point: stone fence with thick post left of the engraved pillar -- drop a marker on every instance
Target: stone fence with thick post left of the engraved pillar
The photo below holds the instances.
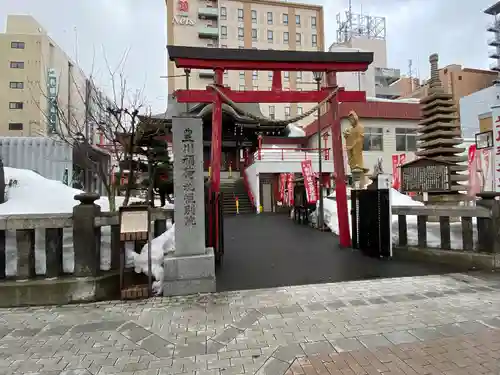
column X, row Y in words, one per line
column 85, row 243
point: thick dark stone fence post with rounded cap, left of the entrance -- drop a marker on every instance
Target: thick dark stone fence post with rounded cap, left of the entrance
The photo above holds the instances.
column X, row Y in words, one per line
column 86, row 238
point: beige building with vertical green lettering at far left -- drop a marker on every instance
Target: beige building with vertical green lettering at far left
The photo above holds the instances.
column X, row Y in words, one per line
column 42, row 89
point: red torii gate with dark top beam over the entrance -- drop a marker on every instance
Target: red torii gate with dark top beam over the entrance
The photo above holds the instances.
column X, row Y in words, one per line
column 219, row 60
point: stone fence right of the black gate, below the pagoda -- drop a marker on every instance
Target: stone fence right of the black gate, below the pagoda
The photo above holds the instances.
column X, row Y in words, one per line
column 464, row 228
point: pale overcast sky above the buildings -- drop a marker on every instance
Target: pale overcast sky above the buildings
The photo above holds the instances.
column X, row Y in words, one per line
column 86, row 29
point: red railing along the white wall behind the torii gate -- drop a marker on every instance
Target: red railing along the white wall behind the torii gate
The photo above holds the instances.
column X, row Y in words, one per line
column 289, row 154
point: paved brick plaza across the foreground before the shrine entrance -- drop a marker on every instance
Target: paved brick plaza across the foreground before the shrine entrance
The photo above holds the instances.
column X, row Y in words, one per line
column 419, row 325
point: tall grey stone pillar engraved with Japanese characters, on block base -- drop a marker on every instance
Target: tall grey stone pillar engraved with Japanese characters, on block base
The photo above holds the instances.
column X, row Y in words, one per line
column 191, row 269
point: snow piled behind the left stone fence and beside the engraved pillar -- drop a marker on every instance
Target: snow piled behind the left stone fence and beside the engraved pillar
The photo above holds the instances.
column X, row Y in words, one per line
column 34, row 194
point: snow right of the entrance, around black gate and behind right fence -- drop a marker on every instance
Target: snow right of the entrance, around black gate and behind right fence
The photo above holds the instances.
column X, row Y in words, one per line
column 398, row 199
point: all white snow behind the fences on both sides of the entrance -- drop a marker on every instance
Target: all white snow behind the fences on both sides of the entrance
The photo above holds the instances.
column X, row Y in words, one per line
column 34, row 194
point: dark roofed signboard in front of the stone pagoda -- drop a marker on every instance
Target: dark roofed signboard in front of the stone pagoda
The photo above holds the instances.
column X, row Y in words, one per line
column 425, row 176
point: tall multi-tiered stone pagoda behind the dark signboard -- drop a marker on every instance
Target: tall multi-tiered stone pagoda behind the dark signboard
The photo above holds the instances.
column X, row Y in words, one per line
column 440, row 137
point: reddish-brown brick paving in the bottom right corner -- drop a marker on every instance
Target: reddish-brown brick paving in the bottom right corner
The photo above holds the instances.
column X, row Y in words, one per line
column 477, row 353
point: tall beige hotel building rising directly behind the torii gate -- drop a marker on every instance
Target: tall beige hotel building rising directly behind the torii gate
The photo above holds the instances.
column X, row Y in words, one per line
column 244, row 24
